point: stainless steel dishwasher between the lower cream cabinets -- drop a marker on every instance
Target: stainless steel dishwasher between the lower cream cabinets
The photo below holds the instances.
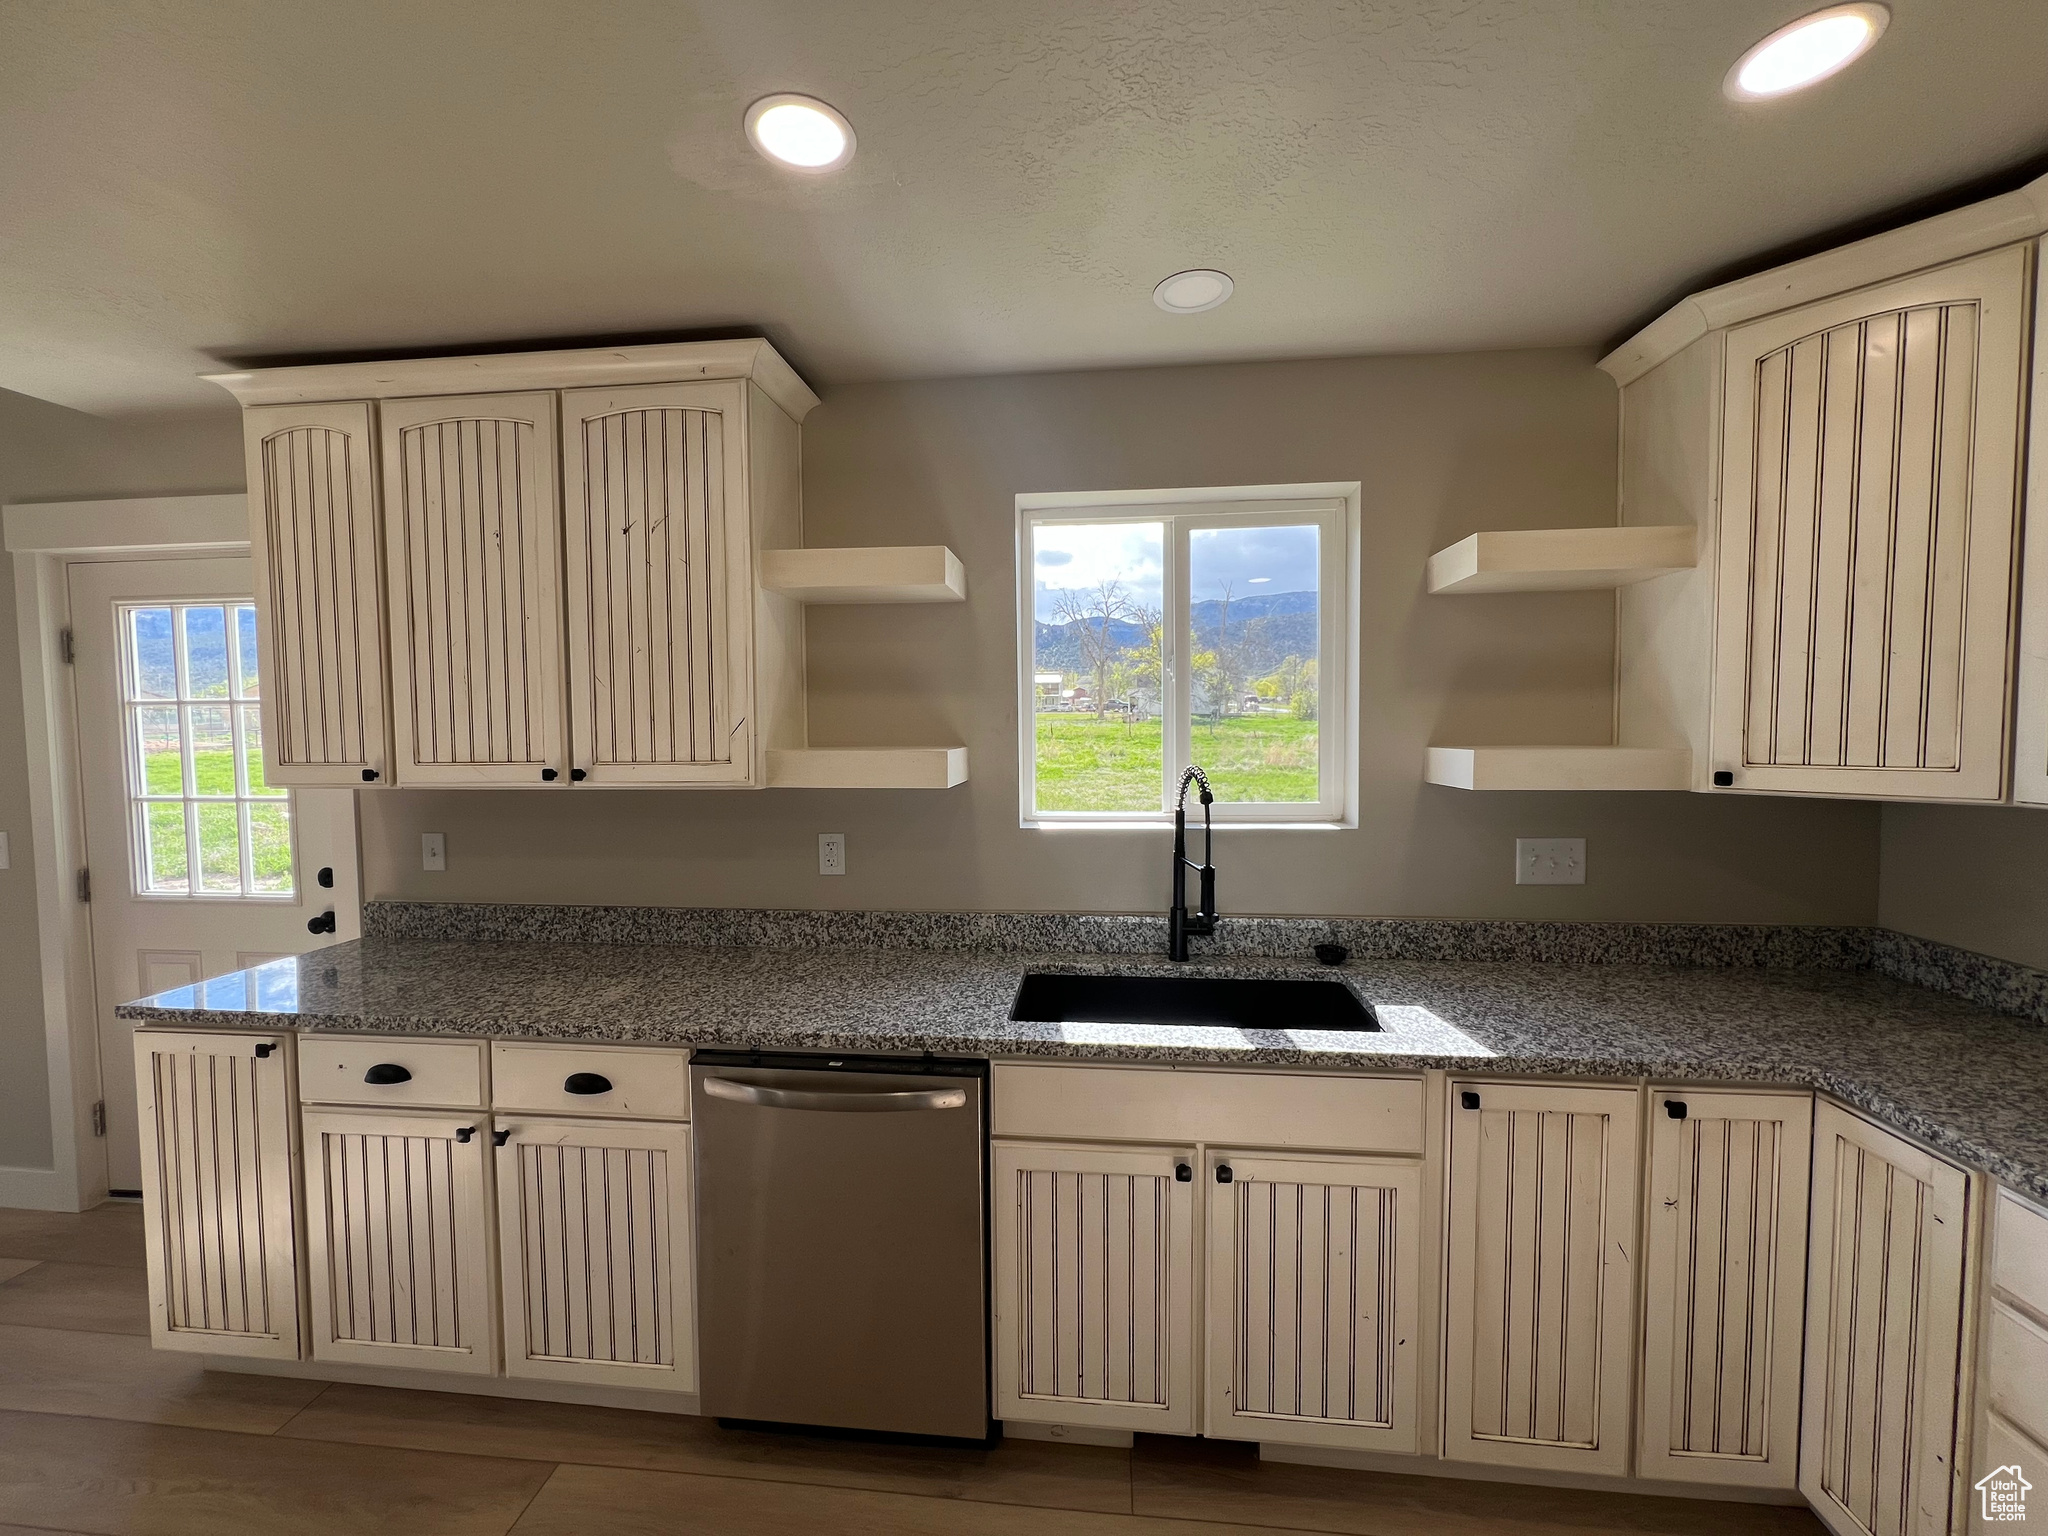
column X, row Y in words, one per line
column 843, row 1242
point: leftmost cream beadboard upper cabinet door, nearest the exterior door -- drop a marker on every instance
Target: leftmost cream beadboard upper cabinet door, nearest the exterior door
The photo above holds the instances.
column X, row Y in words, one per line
column 318, row 609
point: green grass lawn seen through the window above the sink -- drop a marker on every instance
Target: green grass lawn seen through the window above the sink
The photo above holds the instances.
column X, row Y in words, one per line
column 1089, row 765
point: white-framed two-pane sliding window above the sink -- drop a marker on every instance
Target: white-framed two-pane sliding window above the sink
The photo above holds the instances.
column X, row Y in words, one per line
column 1187, row 628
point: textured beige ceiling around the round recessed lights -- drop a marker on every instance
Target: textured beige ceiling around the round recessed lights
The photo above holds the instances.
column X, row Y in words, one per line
column 222, row 179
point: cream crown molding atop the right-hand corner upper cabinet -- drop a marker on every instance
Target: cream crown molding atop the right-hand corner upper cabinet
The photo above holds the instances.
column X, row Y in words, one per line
column 1895, row 253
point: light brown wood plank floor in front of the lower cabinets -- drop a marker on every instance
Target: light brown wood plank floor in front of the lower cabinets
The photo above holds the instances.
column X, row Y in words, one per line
column 101, row 1435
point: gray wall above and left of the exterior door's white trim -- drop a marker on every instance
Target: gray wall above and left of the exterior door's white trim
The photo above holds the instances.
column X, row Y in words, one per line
column 56, row 456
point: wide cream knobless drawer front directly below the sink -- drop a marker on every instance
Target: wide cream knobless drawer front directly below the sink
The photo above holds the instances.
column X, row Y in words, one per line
column 1242, row 1109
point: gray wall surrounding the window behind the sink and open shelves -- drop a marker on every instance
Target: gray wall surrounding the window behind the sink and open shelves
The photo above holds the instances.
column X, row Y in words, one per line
column 1445, row 445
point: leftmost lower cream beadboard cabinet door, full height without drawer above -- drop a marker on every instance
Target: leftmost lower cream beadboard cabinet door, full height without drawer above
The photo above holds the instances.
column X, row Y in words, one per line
column 218, row 1193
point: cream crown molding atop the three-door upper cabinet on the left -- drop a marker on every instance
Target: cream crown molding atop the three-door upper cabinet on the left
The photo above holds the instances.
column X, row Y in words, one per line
column 515, row 372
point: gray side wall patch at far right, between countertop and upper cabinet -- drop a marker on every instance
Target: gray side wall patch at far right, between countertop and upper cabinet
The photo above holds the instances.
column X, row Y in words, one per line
column 1971, row 876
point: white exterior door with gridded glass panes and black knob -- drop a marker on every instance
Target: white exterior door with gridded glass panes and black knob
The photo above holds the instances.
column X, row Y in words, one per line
column 198, row 863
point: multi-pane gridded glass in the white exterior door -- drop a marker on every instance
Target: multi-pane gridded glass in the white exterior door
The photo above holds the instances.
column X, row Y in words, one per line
column 206, row 824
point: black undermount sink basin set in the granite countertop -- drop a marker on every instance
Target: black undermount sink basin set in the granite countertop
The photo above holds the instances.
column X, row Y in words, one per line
column 1234, row 1002
